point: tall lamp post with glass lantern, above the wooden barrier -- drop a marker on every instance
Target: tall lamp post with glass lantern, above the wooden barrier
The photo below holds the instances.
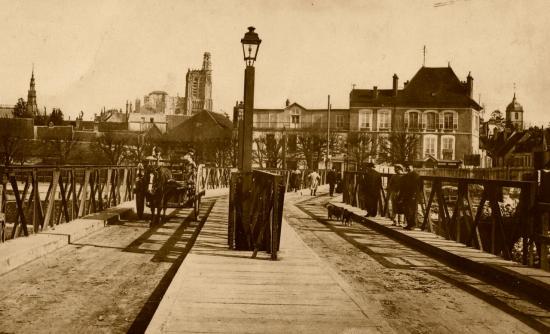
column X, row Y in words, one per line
column 251, row 44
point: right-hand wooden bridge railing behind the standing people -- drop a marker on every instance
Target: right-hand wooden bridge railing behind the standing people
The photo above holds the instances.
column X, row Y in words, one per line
column 495, row 216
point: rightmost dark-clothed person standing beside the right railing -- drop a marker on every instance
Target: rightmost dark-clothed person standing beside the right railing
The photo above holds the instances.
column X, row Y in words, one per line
column 408, row 195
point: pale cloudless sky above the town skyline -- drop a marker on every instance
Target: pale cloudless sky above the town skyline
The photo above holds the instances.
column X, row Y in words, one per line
column 90, row 54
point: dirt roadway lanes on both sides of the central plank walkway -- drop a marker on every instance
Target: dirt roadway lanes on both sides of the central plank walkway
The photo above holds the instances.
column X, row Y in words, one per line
column 113, row 280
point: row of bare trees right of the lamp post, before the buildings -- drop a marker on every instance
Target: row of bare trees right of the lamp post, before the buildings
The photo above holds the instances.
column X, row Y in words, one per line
column 311, row 148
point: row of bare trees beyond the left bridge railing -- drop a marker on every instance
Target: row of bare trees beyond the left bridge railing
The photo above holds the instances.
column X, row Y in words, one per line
column 113, row 148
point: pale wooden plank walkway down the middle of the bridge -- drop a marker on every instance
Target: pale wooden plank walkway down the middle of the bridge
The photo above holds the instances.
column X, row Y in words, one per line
column 220, row 290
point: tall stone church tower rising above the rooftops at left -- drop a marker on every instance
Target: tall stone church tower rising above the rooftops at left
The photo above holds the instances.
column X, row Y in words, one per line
column 198, row 88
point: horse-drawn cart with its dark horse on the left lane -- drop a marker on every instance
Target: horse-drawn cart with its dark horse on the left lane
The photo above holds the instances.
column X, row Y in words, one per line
column 168, row 184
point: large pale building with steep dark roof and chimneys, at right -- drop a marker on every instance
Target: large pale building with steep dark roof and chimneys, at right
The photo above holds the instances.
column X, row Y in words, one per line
column 435, row 105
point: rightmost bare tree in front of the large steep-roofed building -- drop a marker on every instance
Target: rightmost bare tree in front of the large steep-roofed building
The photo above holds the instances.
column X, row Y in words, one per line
column 399, row 147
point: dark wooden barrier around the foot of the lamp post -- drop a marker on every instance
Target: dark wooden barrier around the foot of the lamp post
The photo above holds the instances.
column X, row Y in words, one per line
column 255, row 211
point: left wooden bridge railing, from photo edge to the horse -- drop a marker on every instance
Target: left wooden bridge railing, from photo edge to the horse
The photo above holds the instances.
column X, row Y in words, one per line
column 33, row 199
